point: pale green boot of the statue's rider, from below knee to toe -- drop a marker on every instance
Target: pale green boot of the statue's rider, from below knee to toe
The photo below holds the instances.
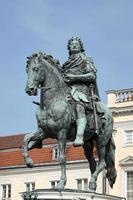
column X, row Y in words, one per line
column 81, row 125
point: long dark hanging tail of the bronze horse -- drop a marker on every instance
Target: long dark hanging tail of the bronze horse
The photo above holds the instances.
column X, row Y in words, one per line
column 110, row 162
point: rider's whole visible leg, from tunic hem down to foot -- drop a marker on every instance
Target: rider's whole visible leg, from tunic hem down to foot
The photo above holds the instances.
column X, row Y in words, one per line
column 81, row 125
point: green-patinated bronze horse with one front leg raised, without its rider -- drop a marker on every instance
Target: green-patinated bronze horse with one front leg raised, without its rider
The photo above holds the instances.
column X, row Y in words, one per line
column 56, row 118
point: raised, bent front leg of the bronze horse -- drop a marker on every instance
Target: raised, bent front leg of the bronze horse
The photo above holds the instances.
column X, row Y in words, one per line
column 30, row 141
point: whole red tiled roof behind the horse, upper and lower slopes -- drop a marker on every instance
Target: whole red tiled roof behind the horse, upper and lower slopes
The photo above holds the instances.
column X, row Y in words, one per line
column 39, row 156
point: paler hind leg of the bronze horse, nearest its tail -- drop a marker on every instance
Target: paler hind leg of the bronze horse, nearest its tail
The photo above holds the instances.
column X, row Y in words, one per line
column 100, row 167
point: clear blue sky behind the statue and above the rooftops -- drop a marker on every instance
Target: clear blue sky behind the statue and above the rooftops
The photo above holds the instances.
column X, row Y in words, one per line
column 28, row 26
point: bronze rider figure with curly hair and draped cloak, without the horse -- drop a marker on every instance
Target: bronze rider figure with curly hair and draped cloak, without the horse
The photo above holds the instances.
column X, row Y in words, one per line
column 80, row 72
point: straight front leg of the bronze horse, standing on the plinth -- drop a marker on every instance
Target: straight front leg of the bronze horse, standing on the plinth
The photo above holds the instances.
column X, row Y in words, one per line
column 62, row 159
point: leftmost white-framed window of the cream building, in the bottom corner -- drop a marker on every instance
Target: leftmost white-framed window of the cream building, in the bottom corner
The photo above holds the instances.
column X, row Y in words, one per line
column 6, row 192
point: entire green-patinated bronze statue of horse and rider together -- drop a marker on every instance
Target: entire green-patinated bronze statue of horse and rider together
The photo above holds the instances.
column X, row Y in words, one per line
column 70, row 110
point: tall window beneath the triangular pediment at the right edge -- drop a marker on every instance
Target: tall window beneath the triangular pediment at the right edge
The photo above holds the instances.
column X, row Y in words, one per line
column 130, row 185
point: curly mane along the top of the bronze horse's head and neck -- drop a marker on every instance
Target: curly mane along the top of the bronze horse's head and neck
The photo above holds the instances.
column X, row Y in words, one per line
column 40, row 56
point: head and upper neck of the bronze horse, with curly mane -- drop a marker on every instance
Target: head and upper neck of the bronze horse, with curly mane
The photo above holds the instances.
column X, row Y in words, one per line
column 39, row 65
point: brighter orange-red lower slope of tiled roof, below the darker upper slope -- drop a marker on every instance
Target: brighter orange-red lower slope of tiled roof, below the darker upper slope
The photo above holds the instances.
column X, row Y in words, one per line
column 39, row 156
